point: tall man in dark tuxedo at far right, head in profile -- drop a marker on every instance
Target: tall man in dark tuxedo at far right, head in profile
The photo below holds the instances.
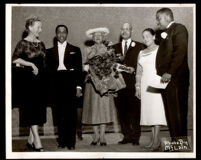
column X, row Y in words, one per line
column 172, row 65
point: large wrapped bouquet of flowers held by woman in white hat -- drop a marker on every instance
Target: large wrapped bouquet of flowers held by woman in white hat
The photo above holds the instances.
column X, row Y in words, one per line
column 103, row 69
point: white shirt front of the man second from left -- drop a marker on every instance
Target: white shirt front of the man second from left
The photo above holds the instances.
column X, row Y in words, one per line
column 61, row 51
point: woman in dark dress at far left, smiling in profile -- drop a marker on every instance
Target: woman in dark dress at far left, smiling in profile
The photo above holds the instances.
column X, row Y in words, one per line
column 29, row 54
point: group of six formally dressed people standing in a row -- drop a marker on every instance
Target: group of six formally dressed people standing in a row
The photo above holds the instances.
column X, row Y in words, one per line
column 136, row 104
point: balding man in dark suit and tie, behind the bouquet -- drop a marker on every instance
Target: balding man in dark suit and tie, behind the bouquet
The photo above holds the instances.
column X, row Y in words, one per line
column 128, row 106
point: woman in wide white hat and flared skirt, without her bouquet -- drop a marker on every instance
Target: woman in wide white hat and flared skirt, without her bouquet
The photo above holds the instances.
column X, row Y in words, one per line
column 98, row 110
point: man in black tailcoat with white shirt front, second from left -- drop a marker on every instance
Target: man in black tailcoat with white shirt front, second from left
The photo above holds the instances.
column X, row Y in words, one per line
column 64, row 66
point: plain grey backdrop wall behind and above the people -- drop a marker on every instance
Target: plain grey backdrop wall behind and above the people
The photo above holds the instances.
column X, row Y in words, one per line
column 80, row 19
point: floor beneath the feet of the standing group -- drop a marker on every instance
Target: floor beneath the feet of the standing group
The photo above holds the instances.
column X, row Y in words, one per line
column 50, row 143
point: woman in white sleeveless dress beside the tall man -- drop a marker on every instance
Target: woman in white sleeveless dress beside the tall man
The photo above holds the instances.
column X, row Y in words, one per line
column 152, row 107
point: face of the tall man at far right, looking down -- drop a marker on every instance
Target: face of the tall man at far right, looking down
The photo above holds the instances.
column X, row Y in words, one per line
column 162, row 20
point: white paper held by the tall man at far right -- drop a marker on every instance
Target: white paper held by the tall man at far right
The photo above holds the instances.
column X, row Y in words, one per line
column 155, row 82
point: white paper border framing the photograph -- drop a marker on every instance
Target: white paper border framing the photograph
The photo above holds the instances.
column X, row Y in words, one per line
column 42, row 155
